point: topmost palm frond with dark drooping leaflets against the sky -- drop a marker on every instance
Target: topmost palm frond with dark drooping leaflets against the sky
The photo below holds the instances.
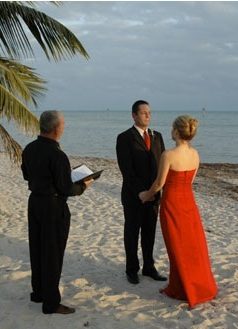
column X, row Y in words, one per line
column 54, row 38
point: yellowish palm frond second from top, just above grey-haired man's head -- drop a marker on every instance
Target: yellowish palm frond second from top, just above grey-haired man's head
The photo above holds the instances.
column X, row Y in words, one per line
column 21, row 80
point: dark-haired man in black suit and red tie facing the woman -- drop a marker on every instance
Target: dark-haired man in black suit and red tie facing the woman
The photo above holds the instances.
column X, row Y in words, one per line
column 138, row 154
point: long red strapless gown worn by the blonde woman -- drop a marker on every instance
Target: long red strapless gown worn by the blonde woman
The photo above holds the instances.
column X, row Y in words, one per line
column 190, row 277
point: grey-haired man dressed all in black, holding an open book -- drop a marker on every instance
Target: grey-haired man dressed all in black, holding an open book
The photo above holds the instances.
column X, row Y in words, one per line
column 47, row 169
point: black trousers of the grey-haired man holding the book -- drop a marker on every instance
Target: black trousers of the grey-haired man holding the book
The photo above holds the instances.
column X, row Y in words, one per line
column 49, row 221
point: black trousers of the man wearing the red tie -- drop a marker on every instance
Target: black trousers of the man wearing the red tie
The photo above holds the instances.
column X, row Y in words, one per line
column 139, row 219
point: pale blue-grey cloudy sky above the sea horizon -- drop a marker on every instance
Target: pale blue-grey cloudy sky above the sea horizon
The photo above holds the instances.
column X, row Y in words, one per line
column 176, row 55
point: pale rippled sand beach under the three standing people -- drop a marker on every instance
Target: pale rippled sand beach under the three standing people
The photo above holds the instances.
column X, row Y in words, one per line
column 93, row 278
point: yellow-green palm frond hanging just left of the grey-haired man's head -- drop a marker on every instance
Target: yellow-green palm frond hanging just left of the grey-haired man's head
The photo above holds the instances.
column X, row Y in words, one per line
column 13, row 109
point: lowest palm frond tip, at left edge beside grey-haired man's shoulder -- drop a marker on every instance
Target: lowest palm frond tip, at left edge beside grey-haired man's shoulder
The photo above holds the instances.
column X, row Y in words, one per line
column 10, row 146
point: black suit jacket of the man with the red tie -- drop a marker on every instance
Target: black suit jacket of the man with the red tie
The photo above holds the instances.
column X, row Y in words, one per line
column 138, row 166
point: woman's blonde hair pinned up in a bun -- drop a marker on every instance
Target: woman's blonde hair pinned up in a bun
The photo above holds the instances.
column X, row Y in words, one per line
column 186, row 126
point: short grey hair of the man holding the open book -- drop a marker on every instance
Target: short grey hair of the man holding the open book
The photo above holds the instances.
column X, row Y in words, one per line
column 49, row 120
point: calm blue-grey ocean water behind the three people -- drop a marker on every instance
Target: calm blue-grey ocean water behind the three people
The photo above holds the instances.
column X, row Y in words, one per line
column 94, row 133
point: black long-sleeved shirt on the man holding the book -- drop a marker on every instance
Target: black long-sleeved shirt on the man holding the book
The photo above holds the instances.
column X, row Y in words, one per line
column 47, row 169
